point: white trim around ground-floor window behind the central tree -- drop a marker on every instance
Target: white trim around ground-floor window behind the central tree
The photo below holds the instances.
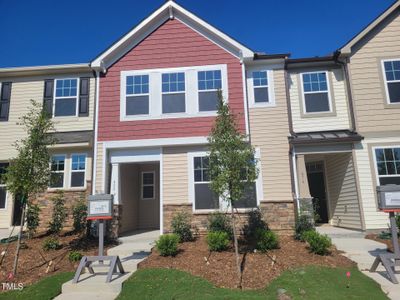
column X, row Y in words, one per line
column 223, row 206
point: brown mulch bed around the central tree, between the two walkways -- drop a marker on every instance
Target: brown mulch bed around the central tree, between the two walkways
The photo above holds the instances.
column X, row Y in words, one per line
column 258, row 268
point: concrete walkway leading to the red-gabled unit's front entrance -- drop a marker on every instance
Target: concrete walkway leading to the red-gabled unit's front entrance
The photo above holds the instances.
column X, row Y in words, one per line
column 134, row 248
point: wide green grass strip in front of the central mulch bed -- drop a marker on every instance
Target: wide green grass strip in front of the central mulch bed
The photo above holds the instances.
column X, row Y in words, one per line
column 311, row 282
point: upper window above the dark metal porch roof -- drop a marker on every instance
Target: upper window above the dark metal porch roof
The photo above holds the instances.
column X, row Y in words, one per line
column 316, row 92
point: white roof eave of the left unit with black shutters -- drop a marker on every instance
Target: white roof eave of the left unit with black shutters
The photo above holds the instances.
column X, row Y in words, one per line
column 44, row 70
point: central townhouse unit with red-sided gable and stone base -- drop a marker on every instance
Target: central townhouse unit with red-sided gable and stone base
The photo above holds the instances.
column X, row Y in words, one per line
column 156, row 105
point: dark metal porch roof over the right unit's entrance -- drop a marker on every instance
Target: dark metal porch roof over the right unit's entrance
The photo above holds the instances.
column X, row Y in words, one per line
column 325, row 137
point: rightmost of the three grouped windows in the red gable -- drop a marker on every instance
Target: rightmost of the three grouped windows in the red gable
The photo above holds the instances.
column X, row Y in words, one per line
column 209, row 83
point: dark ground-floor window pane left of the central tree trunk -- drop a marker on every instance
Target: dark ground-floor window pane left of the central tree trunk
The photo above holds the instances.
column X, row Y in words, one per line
column 205, row 198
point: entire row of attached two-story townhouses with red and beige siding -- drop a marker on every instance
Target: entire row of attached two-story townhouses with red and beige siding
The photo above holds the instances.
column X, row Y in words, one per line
column 134, row 123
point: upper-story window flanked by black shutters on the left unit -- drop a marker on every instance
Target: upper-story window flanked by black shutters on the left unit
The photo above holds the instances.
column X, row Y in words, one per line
column 66, row 97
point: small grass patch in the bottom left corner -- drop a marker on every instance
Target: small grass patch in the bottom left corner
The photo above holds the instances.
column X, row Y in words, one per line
column 45, row 289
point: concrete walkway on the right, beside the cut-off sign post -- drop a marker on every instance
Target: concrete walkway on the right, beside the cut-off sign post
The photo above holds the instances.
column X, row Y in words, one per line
column 363, row 252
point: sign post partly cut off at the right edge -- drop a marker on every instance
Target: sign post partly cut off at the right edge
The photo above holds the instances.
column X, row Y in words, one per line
column 389, row 201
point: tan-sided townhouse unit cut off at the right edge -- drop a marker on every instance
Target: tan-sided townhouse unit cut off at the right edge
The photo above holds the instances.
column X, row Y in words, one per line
column 373, row 58
